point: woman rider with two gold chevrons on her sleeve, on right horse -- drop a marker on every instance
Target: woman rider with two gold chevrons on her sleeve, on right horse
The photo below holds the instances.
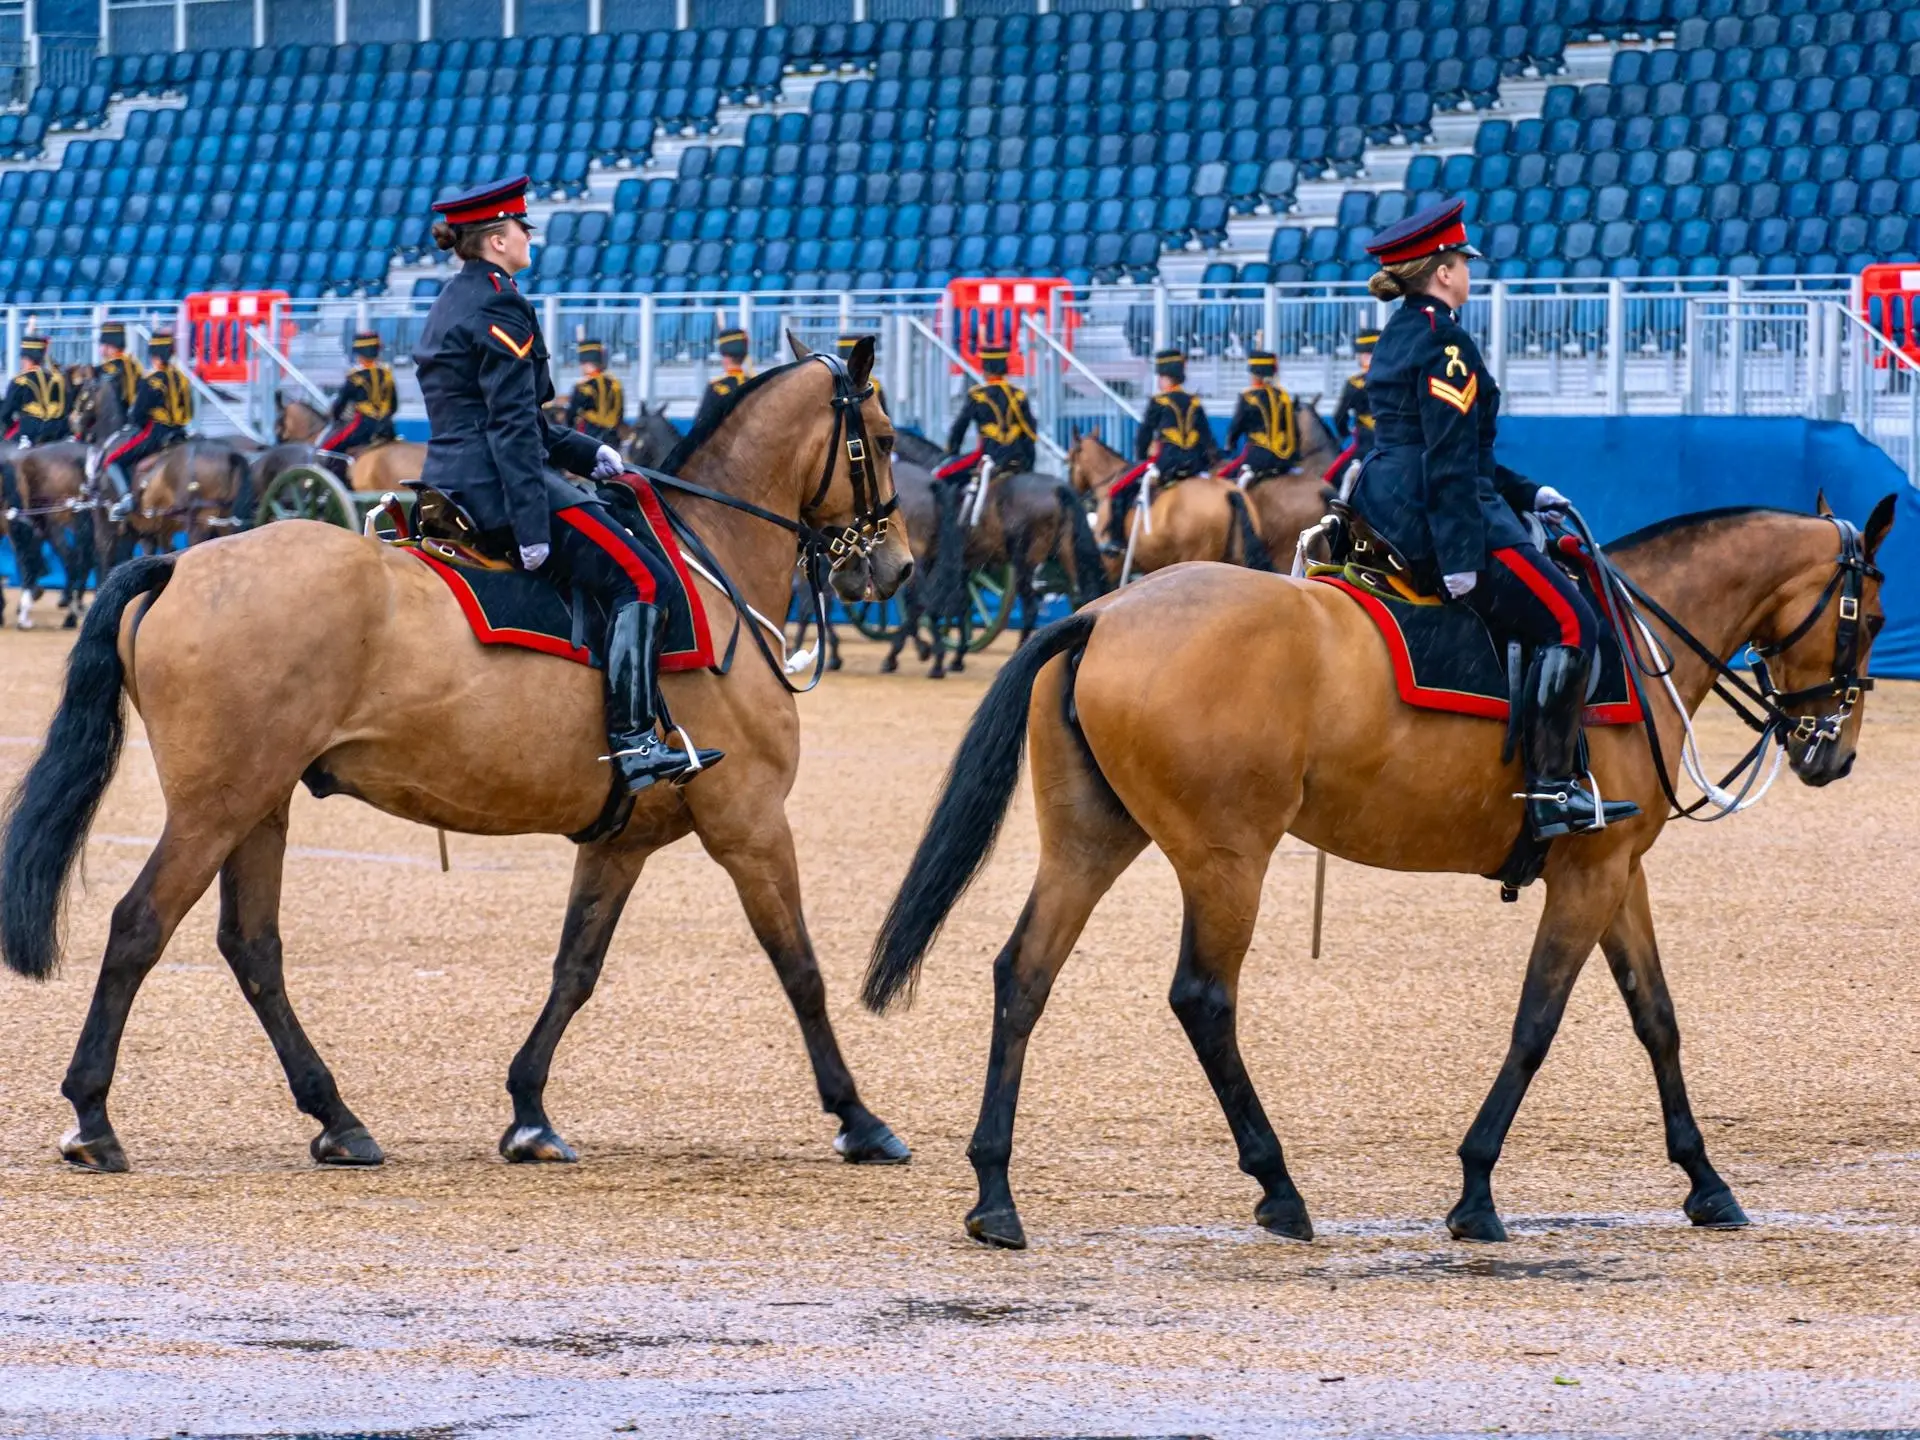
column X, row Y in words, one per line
column 1435, row 492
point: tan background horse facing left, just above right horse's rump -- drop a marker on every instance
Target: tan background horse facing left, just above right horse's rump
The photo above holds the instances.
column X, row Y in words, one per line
column 1195, row 519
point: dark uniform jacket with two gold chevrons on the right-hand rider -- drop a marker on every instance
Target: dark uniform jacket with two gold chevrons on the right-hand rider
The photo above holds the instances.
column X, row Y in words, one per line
column 1431, row 485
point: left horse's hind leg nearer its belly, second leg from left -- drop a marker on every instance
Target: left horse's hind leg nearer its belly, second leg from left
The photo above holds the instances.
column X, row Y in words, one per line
column 251, row 940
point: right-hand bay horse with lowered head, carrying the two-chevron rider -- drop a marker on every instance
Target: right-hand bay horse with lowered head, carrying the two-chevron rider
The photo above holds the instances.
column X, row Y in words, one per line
column 1305, row 734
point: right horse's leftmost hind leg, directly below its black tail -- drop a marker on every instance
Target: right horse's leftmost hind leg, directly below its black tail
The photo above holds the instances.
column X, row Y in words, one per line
column 1068, row 886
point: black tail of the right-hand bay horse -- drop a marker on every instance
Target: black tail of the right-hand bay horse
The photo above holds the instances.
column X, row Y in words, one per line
column 967, row 819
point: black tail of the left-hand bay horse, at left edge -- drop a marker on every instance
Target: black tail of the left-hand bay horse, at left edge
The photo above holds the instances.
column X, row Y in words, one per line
column 51, row 813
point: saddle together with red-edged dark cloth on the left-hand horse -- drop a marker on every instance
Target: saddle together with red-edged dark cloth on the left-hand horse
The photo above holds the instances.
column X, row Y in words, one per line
column 506, row 606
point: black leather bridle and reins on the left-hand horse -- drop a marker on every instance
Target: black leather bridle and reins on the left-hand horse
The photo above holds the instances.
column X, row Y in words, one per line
column 821, row 550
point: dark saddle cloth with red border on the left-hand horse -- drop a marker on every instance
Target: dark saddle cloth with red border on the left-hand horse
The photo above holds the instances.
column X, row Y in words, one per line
column 512, row 608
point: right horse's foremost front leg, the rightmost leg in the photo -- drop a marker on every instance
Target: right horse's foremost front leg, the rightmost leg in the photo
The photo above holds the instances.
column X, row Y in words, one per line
column 1635, row 957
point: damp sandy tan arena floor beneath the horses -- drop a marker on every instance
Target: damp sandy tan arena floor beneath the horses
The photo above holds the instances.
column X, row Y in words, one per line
column 711, row 1270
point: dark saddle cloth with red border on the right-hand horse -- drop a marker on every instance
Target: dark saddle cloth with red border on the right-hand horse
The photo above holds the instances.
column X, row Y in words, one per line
column 1447, row 660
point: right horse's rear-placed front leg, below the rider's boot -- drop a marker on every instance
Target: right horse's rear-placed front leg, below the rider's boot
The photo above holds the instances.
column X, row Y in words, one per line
column 1583, row 896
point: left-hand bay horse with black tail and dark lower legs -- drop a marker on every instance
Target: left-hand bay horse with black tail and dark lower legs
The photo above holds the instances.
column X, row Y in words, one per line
column 354, row 654
